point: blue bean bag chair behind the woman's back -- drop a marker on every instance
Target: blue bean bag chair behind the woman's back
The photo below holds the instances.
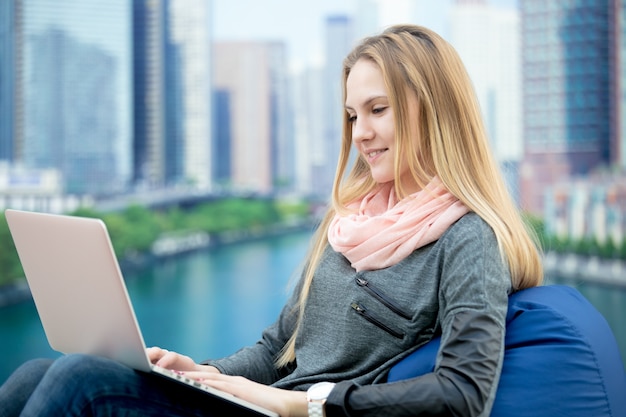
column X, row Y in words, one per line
column 561, row 359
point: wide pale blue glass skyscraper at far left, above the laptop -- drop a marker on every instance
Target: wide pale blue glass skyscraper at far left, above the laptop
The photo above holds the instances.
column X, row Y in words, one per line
column 75, row 87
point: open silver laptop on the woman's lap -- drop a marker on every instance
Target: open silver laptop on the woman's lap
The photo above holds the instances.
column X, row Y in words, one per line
column 81, row 296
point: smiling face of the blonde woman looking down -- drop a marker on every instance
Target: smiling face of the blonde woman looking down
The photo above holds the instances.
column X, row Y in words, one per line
column 372, row 119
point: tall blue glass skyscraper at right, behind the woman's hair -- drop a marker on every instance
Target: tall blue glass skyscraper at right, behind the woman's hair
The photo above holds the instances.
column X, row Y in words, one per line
column 566, row 78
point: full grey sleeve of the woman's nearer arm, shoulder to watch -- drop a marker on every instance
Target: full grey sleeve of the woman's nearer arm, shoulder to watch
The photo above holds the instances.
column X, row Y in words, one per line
column 473, row 295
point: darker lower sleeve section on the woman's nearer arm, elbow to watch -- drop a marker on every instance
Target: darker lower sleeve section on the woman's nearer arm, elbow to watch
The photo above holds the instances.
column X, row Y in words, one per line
column 459, row 386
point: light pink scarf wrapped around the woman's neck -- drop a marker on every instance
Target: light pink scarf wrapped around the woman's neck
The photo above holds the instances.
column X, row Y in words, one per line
column 384, row 231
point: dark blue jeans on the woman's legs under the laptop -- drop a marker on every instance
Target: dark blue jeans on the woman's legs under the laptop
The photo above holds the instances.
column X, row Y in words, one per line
column 83, row 385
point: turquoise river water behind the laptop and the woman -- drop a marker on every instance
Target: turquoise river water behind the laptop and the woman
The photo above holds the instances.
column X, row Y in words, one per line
column 210, row 303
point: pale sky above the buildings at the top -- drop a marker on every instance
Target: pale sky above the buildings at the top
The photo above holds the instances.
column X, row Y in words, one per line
column 300, row 23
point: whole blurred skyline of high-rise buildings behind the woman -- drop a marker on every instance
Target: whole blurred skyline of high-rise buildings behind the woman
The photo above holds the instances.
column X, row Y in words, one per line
column 102, row 101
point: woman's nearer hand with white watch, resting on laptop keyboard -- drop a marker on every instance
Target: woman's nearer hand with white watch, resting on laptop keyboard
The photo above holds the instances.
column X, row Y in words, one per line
column 285, row 403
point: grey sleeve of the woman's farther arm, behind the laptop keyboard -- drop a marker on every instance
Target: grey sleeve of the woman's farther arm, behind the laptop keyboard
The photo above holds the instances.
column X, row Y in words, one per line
column 257, row 362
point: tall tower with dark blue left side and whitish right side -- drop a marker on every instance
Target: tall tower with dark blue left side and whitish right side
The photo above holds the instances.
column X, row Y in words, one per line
column 172, row 93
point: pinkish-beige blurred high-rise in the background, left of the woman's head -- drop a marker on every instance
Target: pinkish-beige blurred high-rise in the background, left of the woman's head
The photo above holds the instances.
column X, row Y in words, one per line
column 254, row 132
